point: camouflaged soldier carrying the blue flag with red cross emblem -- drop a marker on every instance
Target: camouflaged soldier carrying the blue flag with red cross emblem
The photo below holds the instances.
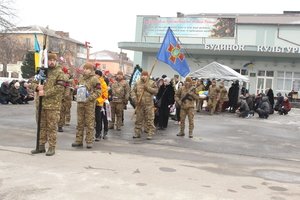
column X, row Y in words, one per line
column 142, row 96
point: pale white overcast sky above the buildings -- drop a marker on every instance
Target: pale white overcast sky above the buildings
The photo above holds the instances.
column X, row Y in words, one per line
column 104, row 23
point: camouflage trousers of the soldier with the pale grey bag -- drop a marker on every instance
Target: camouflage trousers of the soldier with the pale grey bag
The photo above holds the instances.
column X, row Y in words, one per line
column 85, row 119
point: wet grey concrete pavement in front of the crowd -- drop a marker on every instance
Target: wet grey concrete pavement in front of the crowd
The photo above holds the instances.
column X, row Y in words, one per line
column 229, row 159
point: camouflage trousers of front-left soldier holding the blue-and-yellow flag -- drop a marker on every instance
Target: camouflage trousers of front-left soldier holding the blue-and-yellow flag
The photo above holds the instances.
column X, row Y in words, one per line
column 48, row 131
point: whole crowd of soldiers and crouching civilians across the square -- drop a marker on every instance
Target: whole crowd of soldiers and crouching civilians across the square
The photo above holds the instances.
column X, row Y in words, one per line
column 101, row 102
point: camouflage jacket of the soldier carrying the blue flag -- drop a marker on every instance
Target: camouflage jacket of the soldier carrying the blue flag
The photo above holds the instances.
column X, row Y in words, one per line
column 147, row 89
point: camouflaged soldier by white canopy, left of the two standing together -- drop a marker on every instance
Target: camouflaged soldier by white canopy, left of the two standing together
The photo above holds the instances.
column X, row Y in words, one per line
column 214, row 96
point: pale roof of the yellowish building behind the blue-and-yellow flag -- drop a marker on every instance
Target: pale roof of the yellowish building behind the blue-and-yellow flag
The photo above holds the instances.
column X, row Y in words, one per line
column 42, row 30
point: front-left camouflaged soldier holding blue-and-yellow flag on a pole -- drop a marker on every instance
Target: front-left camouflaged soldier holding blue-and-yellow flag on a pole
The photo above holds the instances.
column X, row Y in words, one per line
column 51, row 93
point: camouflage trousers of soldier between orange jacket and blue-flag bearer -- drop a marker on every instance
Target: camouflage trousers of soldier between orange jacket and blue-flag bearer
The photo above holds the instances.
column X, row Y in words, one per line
column 117, row 109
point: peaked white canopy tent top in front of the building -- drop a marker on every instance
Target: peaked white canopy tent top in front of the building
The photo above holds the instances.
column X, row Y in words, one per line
column 216, row 70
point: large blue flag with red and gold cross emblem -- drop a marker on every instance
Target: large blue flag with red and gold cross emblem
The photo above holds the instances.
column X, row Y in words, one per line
column 171, row 54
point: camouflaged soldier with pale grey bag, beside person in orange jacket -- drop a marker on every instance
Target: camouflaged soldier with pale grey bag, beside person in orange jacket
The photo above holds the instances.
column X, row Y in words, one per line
column 86, row 107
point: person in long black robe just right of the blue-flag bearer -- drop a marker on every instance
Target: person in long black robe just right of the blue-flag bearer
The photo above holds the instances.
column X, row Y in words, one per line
column 166, row 93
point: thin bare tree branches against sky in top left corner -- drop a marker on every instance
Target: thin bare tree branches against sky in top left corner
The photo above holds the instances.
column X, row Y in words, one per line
column 7, row 14
